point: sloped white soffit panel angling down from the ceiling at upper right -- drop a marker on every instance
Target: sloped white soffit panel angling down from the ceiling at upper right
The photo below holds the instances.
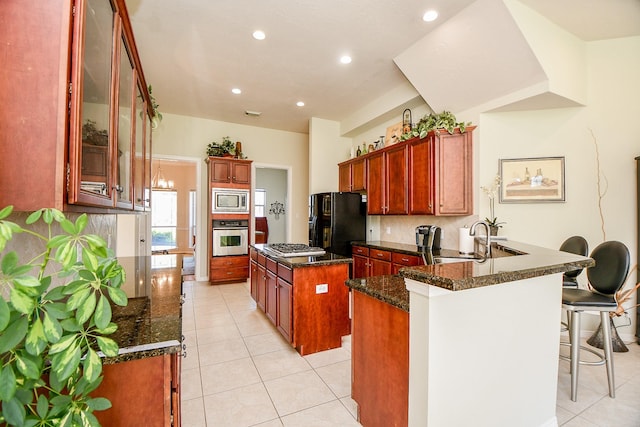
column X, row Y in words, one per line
column 478, row 55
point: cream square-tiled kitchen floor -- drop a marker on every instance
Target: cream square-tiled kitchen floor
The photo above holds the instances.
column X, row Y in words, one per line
column 239, row 371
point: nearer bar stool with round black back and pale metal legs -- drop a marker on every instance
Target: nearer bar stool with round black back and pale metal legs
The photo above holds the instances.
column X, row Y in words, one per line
column 606, row 278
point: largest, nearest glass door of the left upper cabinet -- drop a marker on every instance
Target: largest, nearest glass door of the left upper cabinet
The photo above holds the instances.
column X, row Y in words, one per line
column 90, row 128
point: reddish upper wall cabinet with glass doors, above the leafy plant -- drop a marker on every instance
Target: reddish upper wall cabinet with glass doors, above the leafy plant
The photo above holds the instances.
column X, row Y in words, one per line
column 74, row 107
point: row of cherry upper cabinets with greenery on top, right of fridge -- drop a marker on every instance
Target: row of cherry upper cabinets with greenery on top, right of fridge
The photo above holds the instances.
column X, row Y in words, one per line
column 428, row 176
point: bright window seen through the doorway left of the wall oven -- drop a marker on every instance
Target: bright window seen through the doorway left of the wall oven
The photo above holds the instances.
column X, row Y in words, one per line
column 164, row 219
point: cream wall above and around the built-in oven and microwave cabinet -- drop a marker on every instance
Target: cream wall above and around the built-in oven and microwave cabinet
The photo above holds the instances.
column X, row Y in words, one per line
column 189, row 136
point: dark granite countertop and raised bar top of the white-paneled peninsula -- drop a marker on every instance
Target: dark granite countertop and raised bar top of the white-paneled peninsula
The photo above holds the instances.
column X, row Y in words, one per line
column 533, row 261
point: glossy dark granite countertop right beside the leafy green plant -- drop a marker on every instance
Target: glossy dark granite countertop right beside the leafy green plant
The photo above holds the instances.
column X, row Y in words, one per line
column 151, row 324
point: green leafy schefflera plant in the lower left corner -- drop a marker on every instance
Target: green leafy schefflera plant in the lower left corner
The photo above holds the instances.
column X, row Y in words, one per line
column 52, row 330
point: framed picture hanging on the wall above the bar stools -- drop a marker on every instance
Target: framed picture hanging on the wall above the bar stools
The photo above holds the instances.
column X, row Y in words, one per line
column 532, row 180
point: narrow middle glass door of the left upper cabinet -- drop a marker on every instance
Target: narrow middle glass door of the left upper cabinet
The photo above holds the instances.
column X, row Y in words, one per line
column 124, row 162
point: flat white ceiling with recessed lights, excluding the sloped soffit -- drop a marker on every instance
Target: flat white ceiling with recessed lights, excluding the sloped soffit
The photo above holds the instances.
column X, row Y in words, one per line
column 195, row 51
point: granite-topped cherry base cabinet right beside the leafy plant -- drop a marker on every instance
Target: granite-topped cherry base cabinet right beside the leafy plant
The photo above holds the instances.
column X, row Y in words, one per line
column 143, row 381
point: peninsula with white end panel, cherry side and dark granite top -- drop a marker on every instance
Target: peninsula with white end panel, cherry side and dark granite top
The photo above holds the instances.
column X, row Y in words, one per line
column 482, row 339
